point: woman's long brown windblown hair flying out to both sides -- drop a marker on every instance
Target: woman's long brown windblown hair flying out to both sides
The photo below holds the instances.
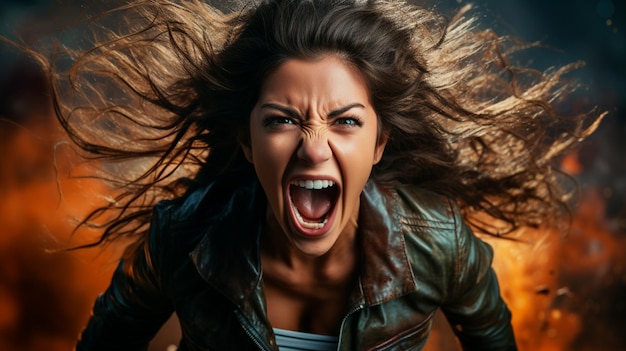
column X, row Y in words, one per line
column 175, row 86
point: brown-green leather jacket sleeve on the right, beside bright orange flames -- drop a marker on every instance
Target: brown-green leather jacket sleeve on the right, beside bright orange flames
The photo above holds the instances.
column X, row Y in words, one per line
column 474, row 306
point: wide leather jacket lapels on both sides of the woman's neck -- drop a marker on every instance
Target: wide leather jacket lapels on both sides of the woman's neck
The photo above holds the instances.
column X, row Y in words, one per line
column 227, row 257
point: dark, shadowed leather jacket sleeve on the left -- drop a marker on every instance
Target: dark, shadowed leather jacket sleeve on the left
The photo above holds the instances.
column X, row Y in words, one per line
column 134, row 306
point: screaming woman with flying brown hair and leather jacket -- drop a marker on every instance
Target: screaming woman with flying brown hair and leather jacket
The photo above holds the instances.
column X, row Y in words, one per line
column 316, row 162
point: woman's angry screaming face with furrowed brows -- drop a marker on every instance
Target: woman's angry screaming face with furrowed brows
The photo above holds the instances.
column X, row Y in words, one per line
column 313, row 142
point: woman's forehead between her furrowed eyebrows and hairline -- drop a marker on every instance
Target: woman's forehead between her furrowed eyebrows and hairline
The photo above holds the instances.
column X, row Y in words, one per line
column 328, row 81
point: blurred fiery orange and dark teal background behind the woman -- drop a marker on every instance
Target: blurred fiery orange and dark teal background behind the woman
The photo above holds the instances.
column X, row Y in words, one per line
column 566, row 292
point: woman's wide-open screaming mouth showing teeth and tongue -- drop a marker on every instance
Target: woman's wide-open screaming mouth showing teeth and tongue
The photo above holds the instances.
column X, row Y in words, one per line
column 312, row 203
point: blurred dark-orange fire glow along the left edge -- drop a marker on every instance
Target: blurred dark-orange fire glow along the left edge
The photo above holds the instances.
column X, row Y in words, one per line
column 45, row 295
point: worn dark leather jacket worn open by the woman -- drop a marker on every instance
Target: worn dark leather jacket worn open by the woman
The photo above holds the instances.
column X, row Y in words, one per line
column 201, row 261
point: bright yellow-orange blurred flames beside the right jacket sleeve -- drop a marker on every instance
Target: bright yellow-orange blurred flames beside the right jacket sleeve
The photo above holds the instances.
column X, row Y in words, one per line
column 528, row 275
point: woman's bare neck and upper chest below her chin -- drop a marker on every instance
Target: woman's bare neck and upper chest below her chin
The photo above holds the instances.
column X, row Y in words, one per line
column 303, row 292
